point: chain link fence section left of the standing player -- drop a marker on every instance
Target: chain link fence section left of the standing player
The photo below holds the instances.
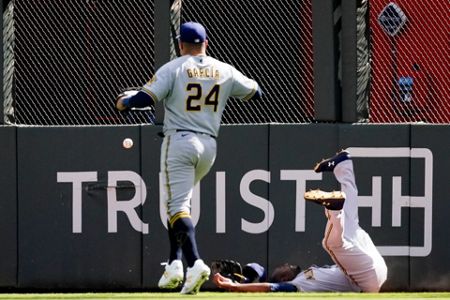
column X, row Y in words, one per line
column 68, row 60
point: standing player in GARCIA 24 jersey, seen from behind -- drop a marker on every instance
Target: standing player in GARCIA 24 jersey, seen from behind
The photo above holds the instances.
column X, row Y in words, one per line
column 194, row 89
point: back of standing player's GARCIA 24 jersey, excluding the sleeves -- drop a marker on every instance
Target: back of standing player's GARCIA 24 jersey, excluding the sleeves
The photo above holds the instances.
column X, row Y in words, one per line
column 200, row 91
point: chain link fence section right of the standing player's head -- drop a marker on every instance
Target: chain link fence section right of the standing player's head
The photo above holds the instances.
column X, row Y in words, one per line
column 271, row 42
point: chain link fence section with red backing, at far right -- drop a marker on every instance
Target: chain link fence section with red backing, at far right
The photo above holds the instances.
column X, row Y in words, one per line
column 410, row 61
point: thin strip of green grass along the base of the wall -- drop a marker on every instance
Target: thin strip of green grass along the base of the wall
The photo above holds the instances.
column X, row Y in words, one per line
column 217, row 295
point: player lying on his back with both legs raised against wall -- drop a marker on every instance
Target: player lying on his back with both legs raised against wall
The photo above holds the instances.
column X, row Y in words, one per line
column 359, row 267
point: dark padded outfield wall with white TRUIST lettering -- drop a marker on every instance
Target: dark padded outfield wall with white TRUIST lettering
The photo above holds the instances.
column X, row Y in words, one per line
column 80, row 212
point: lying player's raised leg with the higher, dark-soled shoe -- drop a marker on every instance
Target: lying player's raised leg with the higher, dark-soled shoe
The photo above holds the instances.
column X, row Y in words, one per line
column 348, row 245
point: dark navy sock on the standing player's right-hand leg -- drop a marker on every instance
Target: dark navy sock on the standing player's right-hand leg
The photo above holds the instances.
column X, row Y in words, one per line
column 185, row 235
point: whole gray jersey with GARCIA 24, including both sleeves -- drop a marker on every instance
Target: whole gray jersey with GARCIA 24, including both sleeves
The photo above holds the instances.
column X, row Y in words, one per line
column 195, row 90
